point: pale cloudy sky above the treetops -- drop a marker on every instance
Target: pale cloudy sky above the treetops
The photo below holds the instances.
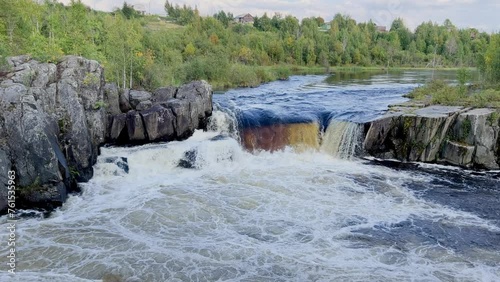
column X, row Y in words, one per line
column 481, row 14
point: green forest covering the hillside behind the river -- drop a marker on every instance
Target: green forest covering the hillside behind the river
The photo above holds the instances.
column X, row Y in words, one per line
column 147, row 51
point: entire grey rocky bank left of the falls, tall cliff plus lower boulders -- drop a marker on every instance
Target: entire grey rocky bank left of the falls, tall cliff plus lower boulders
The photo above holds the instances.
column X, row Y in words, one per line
column 54, row 118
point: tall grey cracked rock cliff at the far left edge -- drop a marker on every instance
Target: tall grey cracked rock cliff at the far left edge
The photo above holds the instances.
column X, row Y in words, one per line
column 52, row 124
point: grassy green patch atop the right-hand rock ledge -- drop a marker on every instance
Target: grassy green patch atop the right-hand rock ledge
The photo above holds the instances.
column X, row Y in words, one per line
column 438, row 92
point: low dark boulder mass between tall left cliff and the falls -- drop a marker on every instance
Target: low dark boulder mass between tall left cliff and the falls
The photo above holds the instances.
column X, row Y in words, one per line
column 169, row 113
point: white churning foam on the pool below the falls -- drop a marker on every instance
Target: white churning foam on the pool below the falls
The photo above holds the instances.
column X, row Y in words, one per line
column 241, row 216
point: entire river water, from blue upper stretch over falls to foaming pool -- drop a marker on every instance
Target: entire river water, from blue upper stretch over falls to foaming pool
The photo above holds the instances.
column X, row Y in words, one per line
column 206, row 209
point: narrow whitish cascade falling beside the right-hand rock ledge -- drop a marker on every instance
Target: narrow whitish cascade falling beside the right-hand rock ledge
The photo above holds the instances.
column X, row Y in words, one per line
column 342, row 139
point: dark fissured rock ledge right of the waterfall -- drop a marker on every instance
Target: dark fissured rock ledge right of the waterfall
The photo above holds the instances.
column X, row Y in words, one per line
column 438, row 134
